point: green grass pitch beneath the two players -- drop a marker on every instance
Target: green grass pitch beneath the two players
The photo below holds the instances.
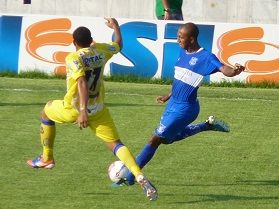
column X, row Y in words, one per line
column 236, row 170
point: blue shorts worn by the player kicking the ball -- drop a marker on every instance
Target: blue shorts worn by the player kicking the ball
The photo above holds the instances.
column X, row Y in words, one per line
column 175, row 118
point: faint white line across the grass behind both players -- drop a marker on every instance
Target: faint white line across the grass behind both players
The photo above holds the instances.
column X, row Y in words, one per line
column 136, row 94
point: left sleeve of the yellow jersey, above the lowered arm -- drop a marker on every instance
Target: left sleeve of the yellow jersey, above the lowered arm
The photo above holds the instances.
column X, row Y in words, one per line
column 75, row 66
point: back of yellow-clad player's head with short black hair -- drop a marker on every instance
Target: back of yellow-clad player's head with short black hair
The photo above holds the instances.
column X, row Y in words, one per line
column 82, row 36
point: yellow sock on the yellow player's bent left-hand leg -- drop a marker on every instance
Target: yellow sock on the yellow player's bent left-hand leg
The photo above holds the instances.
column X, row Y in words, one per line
column 47, row 134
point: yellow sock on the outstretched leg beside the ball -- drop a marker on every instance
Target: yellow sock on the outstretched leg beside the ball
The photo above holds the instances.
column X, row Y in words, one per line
column 127, row 158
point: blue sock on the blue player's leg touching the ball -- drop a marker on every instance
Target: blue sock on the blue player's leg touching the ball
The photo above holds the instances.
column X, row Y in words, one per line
column 142, row 159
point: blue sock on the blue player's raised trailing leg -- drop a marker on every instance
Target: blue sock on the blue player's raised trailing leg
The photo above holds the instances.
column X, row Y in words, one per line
column 191, row 130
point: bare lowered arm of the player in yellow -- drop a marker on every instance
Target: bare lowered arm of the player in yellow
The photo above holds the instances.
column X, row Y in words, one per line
column 82, row 120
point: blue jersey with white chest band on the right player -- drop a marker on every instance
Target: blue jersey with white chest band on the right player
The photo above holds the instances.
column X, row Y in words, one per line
column 189, row 72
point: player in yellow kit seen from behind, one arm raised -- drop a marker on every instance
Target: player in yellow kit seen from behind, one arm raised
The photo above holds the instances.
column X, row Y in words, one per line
column 84, row 102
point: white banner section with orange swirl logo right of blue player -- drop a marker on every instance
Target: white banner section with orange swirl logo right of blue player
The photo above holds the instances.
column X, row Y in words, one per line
column 254, row 46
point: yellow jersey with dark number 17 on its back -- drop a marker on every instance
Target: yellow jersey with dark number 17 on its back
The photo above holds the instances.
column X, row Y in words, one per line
column 88, row 62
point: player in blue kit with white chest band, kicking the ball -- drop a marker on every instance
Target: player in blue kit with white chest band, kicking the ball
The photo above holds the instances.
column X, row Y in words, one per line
column 193, row 64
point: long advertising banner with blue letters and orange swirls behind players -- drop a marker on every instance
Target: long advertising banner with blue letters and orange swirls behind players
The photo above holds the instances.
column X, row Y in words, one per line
column 149, row 47
